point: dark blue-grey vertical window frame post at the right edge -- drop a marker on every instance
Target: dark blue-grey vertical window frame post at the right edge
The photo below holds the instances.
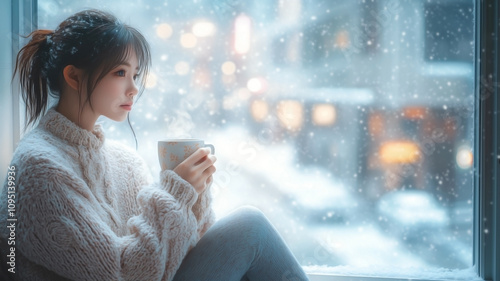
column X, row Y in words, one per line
column 487, row 142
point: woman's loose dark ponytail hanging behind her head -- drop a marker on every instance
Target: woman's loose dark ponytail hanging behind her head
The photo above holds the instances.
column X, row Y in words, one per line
column 31, row 63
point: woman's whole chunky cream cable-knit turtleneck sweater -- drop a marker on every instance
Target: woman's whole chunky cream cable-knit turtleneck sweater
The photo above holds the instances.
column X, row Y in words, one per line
column 87, row 209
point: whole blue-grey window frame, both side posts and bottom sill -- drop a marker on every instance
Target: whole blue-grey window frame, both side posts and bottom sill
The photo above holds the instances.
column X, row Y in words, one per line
column 486, row 245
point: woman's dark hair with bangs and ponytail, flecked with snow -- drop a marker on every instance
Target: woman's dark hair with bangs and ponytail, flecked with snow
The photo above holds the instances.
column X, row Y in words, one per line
column 92, row 40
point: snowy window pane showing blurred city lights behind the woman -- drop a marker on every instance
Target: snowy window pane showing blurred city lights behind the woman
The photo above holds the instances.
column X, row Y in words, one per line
column 349, row 123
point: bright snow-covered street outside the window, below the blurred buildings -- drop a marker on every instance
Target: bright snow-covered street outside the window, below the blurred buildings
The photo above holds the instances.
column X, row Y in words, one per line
column 250, row 173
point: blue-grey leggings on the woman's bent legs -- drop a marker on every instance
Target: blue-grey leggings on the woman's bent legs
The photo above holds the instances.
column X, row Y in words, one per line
column 241, row 246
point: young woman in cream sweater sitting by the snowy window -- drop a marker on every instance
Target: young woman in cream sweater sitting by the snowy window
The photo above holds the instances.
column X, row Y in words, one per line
column 85, row 207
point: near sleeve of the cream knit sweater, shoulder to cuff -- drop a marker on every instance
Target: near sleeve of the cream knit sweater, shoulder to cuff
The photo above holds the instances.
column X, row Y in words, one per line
column 60, row 230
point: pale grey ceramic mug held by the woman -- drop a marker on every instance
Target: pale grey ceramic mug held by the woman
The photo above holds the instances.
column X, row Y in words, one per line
column 173, row 151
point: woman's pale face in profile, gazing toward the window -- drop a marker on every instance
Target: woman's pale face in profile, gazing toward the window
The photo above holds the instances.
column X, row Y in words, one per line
column 114, row 95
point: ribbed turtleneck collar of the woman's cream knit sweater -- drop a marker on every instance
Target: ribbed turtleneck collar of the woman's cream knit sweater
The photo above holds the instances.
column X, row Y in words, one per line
column 62, row 127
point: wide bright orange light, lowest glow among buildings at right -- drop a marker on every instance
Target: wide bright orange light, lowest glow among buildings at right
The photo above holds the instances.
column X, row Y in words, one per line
column 399, row 152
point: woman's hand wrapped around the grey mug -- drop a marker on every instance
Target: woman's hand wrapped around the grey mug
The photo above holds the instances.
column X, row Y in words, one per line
column 198, row 169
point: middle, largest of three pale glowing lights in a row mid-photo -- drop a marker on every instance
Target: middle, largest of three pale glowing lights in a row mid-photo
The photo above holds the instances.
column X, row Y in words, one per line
column 291, row 115
